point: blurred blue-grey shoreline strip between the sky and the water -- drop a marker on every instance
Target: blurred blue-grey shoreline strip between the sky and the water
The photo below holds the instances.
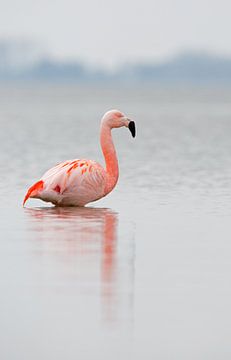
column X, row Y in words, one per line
column 19, row 64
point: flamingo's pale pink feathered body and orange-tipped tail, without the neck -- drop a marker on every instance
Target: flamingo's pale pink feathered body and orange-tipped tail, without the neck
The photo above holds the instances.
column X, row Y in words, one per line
column 72, row 182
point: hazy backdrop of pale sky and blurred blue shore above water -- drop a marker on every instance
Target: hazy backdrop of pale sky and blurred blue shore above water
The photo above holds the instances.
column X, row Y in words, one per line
column 82, row 40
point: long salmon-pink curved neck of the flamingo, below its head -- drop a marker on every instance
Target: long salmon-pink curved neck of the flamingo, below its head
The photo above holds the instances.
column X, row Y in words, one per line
column 110, row 157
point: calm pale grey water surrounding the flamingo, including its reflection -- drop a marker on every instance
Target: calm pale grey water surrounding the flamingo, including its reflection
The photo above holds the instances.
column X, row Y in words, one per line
column 141, row 274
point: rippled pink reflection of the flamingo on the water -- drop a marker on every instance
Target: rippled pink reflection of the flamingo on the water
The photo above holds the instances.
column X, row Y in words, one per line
column 83, row 242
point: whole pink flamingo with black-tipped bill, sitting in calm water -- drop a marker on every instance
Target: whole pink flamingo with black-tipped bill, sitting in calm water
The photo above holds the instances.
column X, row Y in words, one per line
column 80, row 181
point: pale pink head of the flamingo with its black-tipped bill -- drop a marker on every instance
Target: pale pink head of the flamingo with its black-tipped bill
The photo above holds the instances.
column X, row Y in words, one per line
column 116, row 119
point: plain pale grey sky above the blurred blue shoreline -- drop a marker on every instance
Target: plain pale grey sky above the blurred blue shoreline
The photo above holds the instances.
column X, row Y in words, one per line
column 110, row 32
